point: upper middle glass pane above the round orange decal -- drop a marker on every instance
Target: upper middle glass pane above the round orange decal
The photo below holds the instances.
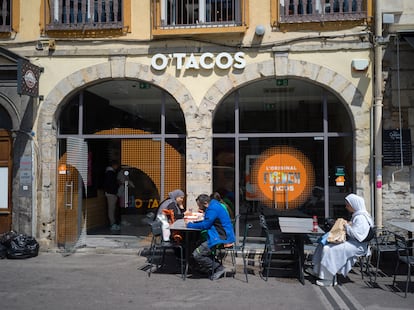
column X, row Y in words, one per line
column 286, row 105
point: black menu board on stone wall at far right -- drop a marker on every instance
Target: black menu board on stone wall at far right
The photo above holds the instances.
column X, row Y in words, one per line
column 392, row 143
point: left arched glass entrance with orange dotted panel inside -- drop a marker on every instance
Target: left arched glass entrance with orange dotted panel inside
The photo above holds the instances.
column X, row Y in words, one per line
column 133, row 122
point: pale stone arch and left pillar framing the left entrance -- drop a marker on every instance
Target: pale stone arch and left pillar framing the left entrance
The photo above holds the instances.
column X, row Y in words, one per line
column 116, row 68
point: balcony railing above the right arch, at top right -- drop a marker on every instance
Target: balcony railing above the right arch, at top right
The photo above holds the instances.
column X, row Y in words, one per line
column 294, row 11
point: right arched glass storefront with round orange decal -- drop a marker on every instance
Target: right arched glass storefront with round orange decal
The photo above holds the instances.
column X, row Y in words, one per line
column 285, row 147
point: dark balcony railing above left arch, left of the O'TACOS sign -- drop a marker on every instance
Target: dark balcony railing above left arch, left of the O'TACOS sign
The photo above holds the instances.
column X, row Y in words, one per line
column 84, row 14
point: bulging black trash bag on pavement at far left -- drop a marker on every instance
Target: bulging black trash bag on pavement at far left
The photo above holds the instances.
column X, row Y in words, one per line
column 22, row 246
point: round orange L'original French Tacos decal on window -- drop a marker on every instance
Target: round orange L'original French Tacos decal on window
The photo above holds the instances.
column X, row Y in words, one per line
column 282, row 177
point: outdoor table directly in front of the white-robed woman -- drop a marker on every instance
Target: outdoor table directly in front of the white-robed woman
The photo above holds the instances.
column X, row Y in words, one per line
column 299, row 228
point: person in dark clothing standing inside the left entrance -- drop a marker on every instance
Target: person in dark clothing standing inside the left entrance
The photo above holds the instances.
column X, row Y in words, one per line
column 111, row 190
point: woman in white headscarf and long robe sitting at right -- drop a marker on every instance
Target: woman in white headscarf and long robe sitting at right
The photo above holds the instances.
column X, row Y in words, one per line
column 330, row 259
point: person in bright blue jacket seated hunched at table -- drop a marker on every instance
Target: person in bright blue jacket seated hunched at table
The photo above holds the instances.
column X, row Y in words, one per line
column 219, row 229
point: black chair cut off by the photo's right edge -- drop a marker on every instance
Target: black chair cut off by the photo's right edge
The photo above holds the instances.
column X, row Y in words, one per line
column 404, row 251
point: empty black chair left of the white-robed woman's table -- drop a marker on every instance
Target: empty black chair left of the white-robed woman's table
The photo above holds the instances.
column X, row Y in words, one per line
column 279, row 254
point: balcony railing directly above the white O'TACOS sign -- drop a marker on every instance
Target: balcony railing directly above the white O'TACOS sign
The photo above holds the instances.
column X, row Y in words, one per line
column 173, row 14
